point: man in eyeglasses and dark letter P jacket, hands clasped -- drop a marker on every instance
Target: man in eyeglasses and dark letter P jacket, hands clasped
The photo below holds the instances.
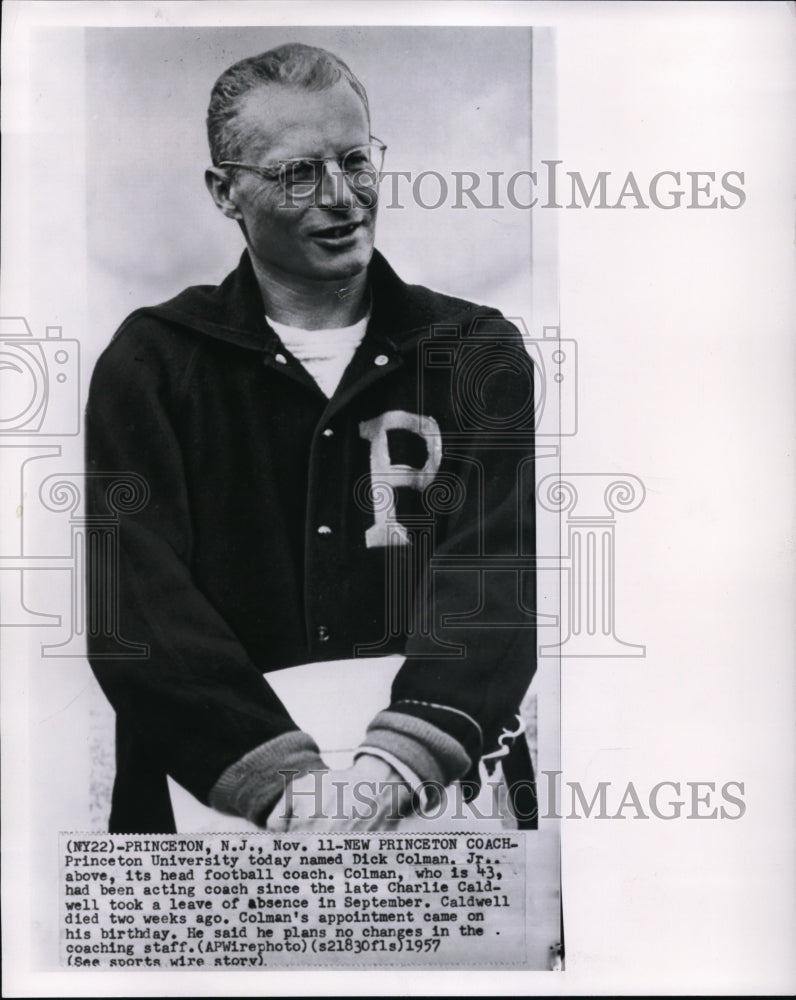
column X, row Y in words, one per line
column 338, row 465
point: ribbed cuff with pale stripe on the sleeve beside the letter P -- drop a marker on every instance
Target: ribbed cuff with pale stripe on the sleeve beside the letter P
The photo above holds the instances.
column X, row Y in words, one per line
column 431, row 753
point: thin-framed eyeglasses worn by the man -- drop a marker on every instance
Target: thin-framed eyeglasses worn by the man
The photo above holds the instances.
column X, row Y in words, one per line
column 301, row 176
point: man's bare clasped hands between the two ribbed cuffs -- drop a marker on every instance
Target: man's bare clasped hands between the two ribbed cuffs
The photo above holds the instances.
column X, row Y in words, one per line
column 369, row 795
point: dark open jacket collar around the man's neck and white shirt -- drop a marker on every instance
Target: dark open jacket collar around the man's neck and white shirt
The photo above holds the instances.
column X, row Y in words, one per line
column 233, row 311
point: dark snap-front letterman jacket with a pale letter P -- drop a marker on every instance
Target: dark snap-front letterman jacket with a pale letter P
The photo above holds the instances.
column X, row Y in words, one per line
column 281, row 527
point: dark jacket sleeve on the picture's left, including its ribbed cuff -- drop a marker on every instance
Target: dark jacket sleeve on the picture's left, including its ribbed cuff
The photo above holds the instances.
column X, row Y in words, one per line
column 194, row 702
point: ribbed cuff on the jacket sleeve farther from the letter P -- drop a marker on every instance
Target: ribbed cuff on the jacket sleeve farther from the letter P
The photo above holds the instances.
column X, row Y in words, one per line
column 252, row 785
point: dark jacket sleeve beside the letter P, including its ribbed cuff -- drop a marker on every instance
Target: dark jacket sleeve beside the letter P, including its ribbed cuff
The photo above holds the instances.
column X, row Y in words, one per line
column 470, row 657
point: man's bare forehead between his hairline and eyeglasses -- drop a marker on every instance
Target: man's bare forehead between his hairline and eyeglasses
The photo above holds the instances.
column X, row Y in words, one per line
column 285, row 120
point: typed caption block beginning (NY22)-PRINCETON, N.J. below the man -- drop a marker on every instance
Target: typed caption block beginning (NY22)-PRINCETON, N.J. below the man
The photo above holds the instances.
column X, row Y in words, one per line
column 249, row 901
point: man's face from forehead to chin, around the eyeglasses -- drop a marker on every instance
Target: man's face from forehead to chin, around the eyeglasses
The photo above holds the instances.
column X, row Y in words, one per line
column 329, row 234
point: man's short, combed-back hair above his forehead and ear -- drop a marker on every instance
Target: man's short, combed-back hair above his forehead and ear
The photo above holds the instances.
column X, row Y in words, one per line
column 293, row 65
